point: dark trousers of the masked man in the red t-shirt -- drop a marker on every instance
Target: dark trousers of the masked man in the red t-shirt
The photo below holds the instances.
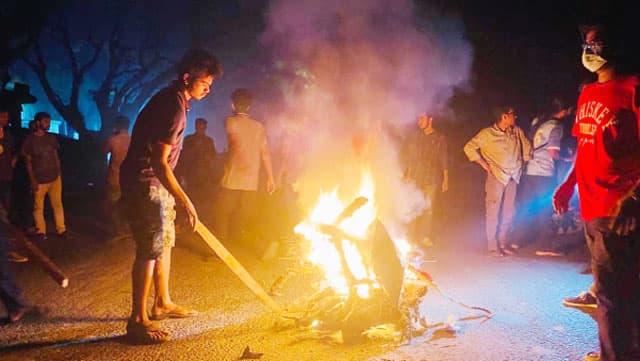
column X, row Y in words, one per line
column 615, row 261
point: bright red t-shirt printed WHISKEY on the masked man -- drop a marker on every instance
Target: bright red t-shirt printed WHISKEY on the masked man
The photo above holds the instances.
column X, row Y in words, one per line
column 608, row 157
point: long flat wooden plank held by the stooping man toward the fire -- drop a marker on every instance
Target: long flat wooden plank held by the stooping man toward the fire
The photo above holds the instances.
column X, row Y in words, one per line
column 236, row 267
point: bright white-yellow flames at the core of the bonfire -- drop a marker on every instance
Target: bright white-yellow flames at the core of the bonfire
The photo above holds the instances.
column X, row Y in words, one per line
column 324, row 252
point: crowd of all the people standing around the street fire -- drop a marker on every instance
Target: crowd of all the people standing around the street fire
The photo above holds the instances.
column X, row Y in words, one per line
column 152, row 170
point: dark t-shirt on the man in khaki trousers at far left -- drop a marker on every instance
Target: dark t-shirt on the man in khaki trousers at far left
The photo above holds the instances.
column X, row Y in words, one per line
column 43, row 151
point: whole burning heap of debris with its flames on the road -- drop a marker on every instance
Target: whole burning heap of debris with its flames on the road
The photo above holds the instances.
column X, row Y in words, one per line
column 366, row 291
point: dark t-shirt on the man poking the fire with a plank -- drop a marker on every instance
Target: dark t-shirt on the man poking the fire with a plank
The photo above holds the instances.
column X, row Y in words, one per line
column 162, row 120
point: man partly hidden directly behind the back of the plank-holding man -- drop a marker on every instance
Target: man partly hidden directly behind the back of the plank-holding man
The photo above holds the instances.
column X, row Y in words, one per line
column 116, row 146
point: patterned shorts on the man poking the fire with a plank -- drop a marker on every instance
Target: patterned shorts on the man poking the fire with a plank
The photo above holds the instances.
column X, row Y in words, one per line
column 151, row 218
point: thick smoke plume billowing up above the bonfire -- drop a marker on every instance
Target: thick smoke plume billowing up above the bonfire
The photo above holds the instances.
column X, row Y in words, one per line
column 370, row 72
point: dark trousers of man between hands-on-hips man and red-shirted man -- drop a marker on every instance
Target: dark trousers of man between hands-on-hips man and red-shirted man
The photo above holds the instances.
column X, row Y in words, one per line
column 535, row 209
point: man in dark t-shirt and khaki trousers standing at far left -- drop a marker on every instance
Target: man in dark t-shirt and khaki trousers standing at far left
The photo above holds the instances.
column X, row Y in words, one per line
column 40, row 150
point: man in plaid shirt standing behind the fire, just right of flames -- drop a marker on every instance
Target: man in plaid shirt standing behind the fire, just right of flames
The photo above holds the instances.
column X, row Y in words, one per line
column 427, row 165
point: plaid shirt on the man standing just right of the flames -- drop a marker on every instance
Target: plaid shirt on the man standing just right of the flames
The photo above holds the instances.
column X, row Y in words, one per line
column 426, row 157
